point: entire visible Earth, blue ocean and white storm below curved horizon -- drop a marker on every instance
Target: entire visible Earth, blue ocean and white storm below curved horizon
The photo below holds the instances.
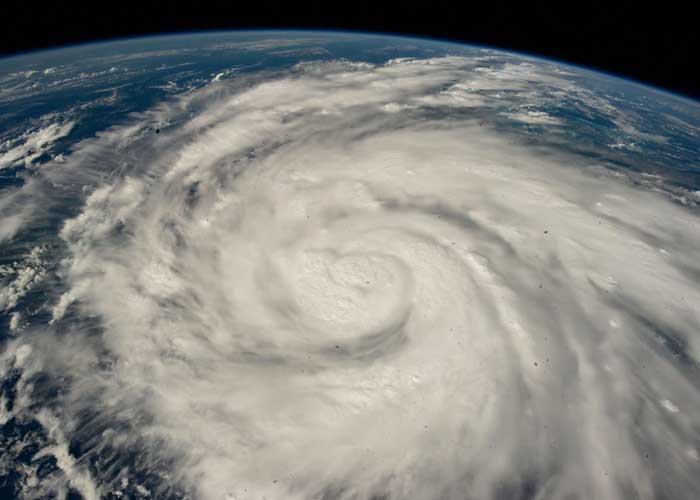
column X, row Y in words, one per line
column 314, row 265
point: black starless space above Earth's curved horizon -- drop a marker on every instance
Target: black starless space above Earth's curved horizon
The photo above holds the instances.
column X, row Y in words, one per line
column 657, row 44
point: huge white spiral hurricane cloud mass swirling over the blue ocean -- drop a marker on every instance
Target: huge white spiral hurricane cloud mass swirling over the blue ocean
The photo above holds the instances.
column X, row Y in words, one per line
column 335, row 283
